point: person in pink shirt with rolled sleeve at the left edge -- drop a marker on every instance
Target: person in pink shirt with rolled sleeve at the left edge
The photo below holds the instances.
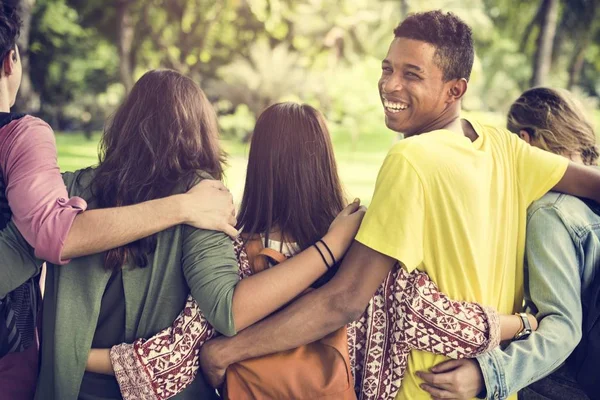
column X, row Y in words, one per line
column 34, row 199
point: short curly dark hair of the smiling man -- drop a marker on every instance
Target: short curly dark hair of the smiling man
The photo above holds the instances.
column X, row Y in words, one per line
column 451, row 37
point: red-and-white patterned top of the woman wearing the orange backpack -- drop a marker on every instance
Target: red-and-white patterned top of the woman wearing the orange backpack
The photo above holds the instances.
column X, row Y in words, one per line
column 407, row 312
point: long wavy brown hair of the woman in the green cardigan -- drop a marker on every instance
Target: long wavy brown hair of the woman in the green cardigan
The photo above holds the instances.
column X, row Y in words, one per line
column 163, row 134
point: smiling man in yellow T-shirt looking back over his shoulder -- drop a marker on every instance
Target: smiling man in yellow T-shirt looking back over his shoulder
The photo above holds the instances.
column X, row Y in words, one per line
column 450, row 200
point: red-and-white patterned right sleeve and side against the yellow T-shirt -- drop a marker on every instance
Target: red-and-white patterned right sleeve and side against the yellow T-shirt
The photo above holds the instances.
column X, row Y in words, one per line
column 408, row 312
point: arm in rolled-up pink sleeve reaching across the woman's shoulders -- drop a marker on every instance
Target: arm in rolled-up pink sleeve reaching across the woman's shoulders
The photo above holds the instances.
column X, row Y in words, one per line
column 55, row 225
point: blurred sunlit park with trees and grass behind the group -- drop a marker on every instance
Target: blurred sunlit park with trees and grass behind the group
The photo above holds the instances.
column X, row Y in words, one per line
column 81, row 57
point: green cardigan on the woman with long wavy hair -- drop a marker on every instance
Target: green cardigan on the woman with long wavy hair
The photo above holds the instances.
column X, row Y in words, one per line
column 186, row 259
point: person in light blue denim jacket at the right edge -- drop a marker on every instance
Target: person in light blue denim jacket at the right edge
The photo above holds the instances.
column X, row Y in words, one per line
column 561, row 268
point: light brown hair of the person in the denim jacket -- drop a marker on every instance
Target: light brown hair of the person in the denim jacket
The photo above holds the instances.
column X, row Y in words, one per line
column 555, row 122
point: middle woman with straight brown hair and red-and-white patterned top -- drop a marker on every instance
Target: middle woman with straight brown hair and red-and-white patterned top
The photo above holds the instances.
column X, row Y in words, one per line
column 292, row 193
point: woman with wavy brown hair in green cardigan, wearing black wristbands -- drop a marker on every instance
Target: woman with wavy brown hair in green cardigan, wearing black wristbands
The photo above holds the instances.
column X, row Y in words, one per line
column 161, row 140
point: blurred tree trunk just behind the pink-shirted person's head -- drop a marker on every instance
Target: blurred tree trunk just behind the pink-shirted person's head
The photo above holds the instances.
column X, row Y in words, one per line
column 27, row 99
